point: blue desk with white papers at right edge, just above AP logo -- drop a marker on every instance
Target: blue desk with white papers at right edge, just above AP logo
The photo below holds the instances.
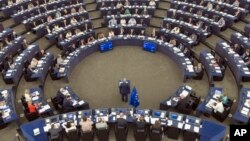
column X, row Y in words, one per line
column 242, row 114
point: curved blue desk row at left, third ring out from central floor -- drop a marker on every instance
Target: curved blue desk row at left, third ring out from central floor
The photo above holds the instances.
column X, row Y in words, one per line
column 13, row 75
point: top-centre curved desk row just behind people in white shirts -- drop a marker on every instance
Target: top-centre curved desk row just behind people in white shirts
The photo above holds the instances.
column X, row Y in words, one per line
column 113, row 10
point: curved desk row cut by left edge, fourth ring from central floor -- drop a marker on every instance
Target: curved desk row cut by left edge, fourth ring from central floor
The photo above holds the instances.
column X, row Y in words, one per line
column 11, row 49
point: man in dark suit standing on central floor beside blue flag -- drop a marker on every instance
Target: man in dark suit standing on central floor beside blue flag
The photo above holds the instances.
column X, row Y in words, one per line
column 124, row 88
